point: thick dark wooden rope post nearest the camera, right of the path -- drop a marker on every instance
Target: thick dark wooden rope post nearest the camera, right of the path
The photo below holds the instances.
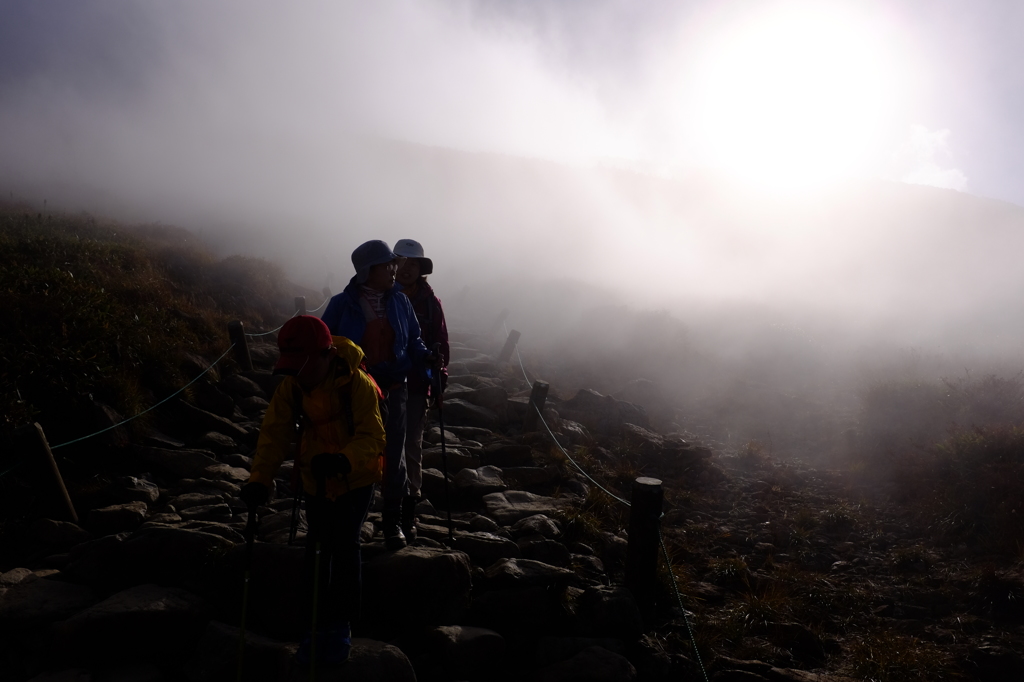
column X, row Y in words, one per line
column 642, row 558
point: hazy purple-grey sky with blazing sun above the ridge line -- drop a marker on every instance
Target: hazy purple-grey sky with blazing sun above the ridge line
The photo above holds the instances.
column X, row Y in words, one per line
column 786, row 96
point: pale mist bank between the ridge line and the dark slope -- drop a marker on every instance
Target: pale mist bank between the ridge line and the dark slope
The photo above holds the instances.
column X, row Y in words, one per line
column 754, row 316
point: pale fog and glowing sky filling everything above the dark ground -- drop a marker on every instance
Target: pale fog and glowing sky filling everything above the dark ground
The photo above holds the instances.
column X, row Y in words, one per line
column 567, row 161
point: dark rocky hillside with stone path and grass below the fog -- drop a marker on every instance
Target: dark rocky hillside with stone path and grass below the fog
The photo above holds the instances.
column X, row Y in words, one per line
column 904, row 564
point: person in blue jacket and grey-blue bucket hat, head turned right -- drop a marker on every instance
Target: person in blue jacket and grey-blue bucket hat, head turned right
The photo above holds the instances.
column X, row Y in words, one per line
column 373, row 313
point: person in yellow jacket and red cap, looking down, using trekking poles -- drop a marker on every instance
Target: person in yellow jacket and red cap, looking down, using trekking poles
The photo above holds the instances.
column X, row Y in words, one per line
column 340, row 460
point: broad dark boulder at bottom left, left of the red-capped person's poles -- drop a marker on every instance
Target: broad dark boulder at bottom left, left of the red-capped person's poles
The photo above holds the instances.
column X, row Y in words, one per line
column 144, row 623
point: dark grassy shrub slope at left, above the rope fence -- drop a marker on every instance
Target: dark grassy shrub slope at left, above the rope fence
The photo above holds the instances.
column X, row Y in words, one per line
column 102, row 312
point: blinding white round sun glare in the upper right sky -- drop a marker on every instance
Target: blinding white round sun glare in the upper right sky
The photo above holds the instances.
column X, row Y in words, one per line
column 793, row 100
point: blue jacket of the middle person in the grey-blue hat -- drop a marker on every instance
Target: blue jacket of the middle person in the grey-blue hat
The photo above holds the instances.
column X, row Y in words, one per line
column 345, row 317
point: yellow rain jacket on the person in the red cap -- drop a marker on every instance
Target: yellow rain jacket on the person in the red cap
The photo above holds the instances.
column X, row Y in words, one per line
column 326, row 427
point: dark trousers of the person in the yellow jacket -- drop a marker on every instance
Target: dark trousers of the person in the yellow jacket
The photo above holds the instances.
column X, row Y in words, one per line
column 335, row 525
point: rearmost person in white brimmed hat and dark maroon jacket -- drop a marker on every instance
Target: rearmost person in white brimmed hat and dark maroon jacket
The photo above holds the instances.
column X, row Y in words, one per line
column 413, row 278
